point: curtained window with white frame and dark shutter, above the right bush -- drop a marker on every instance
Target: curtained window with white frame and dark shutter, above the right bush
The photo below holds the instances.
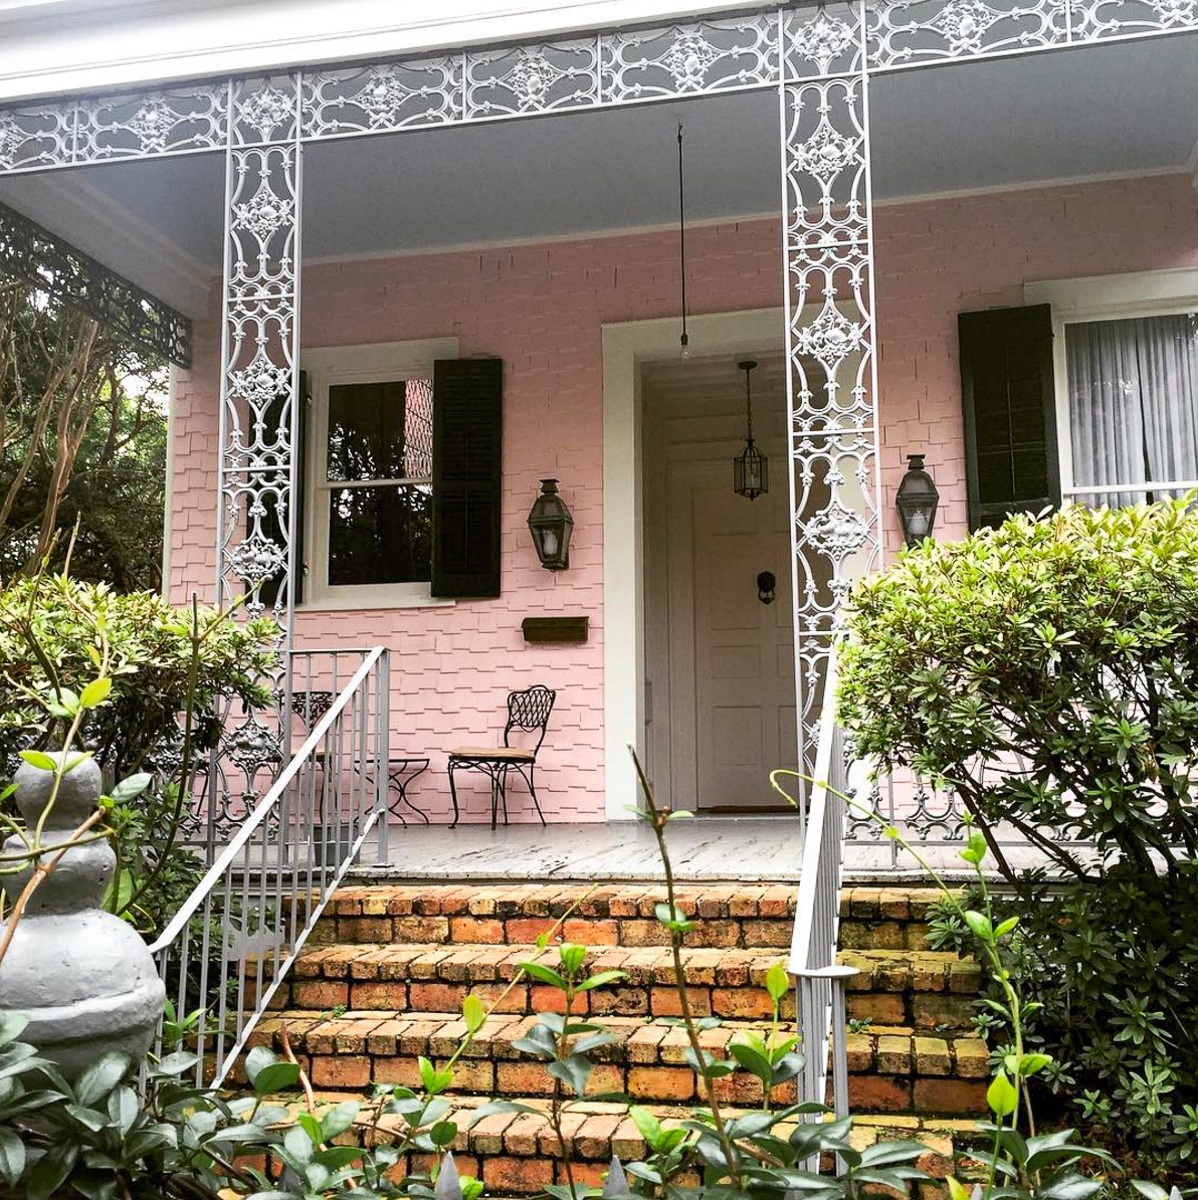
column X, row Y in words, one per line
column 1089, row 393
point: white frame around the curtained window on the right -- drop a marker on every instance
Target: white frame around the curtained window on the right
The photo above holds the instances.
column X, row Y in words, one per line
column 1105, row 298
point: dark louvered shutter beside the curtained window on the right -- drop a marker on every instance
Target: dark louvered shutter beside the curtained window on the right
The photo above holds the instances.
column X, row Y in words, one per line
column 1007, row 369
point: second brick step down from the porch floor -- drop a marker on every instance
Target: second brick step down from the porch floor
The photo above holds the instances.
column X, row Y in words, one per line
column 925, row 991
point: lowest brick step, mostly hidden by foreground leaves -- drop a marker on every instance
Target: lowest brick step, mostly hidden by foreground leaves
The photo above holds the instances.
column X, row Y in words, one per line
column 517, row 1155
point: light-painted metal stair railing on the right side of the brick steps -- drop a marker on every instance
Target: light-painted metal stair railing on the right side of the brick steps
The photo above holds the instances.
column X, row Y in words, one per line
column 819, row 980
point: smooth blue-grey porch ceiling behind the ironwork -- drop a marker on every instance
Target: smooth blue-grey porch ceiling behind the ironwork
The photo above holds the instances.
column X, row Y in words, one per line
column 1121, row 109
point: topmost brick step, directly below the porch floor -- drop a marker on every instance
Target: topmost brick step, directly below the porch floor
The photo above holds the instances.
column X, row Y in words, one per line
column 615, row 915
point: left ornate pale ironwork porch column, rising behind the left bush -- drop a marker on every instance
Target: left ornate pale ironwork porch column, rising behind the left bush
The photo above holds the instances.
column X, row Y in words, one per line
column 260, row 387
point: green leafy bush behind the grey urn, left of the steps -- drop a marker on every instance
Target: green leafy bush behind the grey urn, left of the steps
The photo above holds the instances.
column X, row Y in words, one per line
column 164, row 663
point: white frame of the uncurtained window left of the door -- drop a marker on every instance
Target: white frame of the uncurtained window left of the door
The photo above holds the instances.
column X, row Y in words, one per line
column 328, row 368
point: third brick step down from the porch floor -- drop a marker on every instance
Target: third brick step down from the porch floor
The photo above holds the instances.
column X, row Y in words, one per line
column 892, row 1071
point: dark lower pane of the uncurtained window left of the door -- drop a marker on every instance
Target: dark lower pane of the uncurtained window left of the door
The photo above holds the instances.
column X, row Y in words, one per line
column 380, row 536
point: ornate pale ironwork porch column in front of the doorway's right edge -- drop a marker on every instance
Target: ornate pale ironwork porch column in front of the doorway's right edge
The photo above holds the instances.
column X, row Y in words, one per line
column 832, row 383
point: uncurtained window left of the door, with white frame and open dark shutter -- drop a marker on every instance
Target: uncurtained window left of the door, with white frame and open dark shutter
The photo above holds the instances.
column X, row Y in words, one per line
column 403, row 476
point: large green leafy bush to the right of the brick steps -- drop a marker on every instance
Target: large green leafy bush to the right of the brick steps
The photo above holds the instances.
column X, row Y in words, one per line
column 1047, row 671
